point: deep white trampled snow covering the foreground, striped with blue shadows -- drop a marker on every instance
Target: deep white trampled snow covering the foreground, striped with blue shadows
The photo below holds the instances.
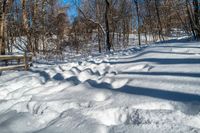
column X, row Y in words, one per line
column 156, row 89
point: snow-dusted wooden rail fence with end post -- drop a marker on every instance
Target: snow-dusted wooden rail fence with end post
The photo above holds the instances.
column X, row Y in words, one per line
column 25, row 59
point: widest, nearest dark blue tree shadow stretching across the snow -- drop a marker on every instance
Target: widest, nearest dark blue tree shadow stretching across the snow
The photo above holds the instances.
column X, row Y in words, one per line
column 150, row 92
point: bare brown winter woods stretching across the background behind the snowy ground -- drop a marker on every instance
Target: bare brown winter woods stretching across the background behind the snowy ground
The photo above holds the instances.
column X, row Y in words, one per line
column 43, row 27
